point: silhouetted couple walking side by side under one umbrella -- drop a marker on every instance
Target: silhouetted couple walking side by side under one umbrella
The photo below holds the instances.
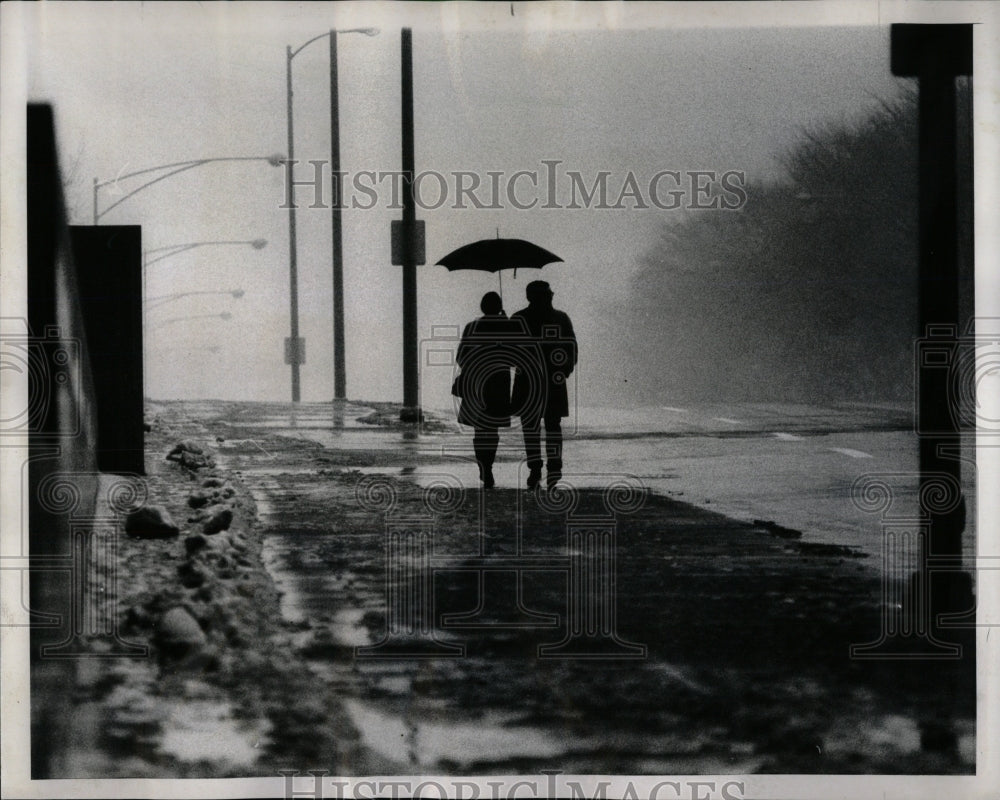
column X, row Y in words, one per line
column 539, row 344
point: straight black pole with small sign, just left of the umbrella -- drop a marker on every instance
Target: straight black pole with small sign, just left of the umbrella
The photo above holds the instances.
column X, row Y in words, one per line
column 409, row 224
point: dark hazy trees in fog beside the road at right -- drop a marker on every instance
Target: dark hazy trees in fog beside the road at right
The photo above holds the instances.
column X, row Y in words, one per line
column 807, row 293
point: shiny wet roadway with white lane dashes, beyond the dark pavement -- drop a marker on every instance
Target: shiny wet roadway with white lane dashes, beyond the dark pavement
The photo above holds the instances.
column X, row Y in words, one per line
column 792, row 464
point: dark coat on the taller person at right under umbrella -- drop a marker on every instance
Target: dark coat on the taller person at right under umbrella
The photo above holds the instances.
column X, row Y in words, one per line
column 546, row 362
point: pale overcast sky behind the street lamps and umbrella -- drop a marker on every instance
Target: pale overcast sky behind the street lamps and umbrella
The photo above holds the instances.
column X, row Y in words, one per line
column 137, row 85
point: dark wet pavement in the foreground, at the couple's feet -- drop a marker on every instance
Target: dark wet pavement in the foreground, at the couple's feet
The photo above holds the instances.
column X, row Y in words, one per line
column 590, row 631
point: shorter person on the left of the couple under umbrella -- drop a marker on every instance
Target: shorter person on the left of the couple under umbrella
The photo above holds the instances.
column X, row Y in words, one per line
column 484, row 356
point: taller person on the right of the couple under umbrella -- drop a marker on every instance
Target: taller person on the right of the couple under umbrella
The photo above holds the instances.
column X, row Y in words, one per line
column 540, row 392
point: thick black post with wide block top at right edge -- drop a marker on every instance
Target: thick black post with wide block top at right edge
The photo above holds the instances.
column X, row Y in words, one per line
column 935, row 55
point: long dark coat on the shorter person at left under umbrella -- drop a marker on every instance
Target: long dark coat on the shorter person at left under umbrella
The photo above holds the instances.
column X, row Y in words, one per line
column 485, row 358
